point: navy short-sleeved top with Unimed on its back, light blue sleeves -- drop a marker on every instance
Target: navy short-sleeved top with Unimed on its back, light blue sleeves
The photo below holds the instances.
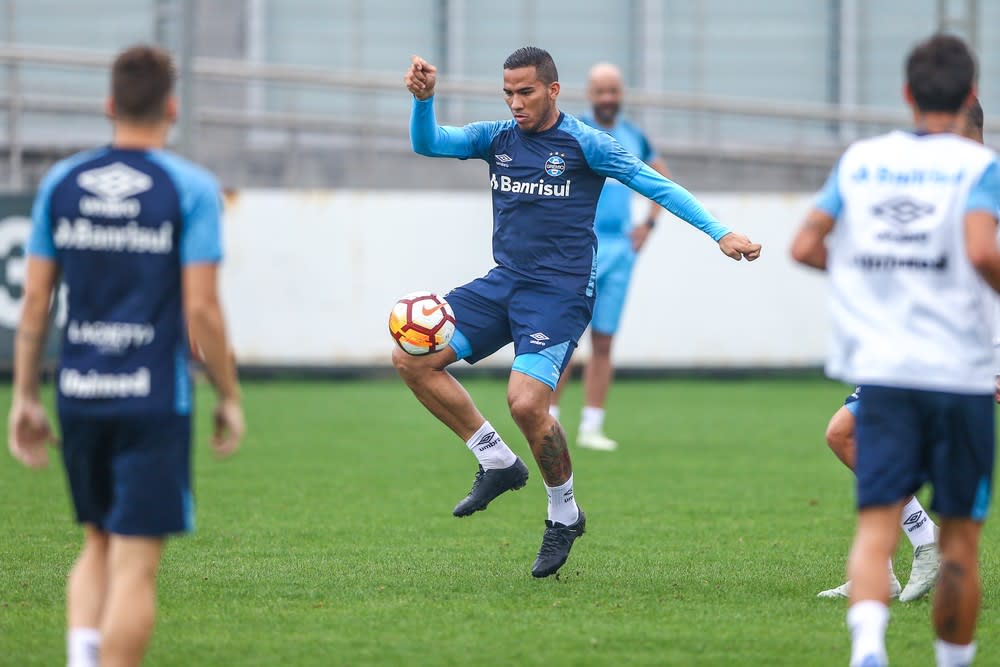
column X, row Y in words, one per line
column 121, row 224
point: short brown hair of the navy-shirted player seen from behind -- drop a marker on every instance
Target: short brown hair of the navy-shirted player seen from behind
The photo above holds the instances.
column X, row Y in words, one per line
column 142, row 78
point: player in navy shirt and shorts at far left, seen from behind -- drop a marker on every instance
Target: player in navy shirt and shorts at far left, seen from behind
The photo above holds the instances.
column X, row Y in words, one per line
column 134, row 232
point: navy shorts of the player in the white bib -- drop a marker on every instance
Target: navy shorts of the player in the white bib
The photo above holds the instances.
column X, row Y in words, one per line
column 908, row 437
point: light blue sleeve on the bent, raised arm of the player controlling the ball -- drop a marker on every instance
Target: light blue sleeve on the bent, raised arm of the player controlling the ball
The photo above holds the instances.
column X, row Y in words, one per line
column 433, row 140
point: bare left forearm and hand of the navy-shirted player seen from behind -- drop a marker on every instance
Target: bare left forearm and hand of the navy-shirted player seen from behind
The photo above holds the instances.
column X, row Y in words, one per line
column 28, row 426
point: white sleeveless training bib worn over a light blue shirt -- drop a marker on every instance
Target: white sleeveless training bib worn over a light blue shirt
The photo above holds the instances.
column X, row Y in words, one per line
column 909, row 308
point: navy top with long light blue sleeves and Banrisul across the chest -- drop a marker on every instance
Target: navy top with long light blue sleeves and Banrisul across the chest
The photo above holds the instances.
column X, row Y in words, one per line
column 545, row 190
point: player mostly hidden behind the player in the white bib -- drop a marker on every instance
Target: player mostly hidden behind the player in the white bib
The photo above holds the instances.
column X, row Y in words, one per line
column 917, row 525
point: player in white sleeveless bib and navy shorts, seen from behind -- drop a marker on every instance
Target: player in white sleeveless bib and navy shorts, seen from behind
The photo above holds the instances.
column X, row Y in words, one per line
column 906, row 227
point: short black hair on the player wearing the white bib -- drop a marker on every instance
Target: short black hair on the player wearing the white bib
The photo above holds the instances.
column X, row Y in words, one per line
column 940, row 72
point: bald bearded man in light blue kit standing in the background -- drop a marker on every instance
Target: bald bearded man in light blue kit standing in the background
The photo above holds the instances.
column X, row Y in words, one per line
column 618, row 242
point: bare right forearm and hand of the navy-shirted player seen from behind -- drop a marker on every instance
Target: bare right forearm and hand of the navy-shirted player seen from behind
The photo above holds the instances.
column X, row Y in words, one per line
column 204, row 316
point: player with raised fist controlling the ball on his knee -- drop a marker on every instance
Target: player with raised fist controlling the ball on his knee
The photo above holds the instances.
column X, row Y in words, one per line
column 546, row 172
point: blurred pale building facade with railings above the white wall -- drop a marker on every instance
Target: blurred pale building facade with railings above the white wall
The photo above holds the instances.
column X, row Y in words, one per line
column 307, row 93
